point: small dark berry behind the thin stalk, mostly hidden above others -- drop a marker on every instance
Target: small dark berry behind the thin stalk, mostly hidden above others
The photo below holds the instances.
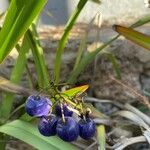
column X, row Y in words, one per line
column 66, row 111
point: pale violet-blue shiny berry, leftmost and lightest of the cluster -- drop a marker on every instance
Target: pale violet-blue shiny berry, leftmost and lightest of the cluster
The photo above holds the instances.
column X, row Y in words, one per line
column 37, row 106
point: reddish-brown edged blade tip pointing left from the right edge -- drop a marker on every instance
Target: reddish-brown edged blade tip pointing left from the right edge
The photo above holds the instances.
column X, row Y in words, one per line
column 134, row 36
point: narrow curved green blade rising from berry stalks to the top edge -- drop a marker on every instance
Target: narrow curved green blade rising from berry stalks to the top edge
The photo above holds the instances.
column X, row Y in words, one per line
column 62, row 43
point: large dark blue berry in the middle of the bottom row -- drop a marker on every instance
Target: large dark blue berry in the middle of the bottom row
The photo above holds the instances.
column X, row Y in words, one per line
column 68, row 130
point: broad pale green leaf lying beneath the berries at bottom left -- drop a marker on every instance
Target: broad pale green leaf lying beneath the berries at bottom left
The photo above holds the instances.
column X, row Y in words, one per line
column 30, row 134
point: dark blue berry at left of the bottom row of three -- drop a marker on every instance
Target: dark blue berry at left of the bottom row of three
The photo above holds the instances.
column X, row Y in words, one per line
column 47, row 126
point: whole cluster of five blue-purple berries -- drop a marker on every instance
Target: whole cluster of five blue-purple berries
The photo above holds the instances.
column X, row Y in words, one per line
column 62, row 123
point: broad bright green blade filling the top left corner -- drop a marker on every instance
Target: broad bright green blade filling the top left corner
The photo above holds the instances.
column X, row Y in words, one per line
column 20, row 15
